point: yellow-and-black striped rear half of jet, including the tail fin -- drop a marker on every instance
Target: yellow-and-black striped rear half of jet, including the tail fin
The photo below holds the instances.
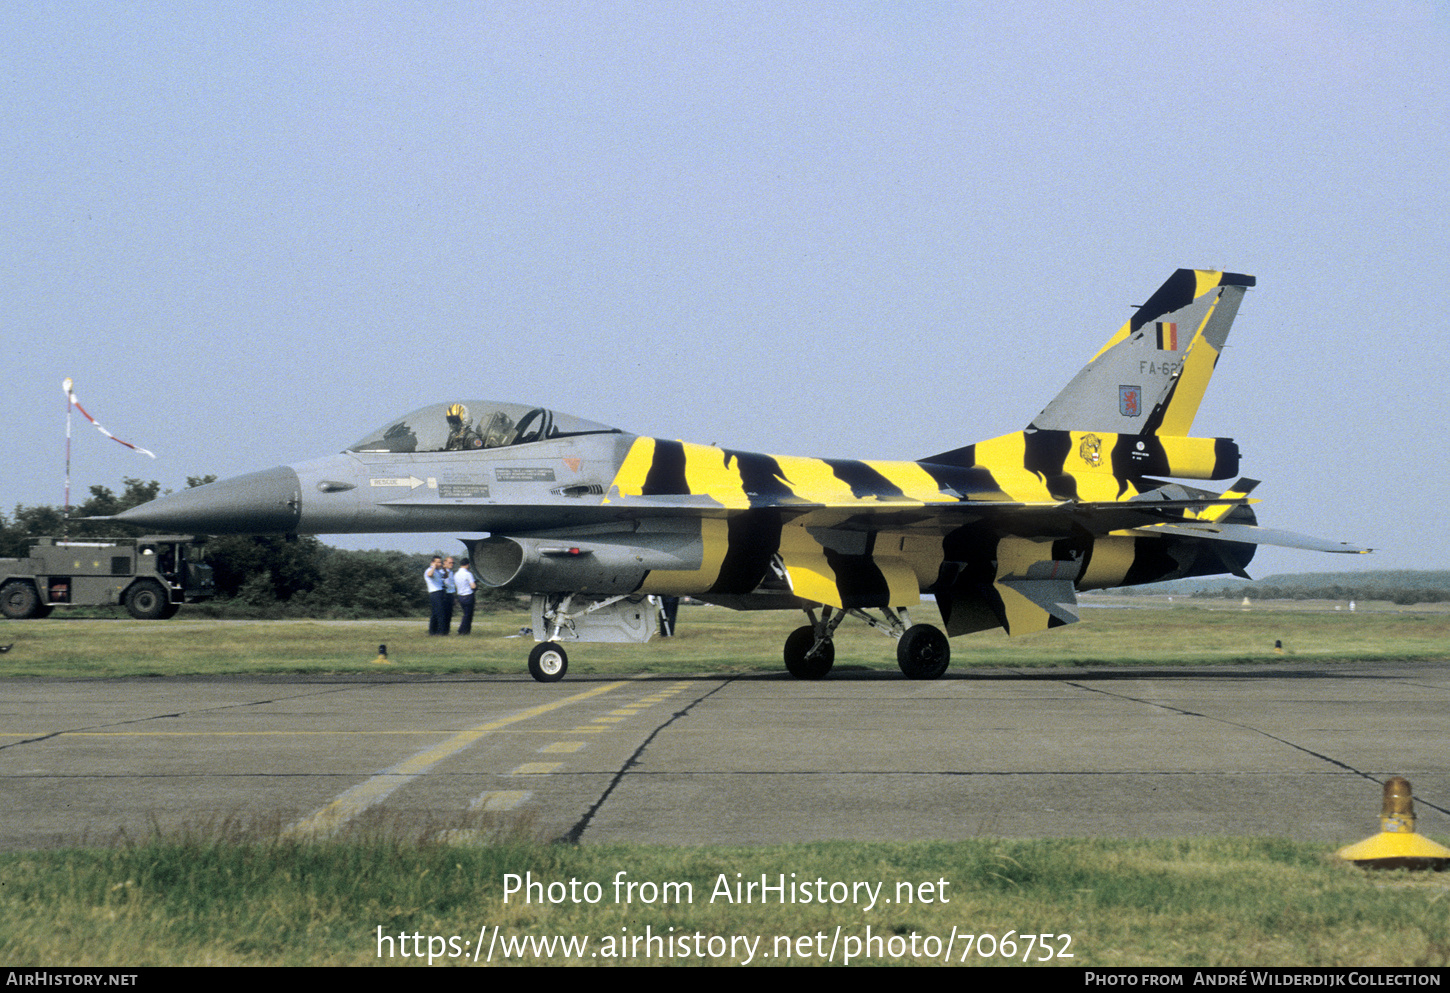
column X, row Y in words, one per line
column 1003, row 533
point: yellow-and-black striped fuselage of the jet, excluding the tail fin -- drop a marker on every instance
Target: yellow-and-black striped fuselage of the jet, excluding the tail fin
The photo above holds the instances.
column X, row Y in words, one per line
column 878, row 534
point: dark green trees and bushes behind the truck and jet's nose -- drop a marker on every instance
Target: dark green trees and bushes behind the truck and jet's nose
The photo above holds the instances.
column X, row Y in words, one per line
column 257, row 576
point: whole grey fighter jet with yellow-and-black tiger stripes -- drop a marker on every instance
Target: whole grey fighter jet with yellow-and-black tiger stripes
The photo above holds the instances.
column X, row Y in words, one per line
column 592, row 521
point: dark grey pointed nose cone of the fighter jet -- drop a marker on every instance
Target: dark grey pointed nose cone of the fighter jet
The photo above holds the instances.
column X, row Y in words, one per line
column 257, row 504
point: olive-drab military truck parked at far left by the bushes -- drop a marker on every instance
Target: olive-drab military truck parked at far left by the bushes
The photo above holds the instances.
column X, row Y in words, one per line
column 152, row 576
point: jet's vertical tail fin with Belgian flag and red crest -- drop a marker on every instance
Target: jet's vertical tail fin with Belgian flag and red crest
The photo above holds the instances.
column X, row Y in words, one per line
column 1151, row 378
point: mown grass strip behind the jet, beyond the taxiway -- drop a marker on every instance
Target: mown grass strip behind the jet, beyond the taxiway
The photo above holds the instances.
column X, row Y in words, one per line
column 711, row 640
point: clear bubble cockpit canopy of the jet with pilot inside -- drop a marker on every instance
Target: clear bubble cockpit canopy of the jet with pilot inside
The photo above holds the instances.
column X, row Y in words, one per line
column 473, row 425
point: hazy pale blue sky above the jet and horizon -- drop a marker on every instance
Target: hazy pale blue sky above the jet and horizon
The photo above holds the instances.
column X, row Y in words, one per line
column 252, row 233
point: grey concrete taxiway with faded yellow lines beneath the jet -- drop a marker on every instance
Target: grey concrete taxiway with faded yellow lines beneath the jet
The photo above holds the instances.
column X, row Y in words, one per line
column 1294, row 750
